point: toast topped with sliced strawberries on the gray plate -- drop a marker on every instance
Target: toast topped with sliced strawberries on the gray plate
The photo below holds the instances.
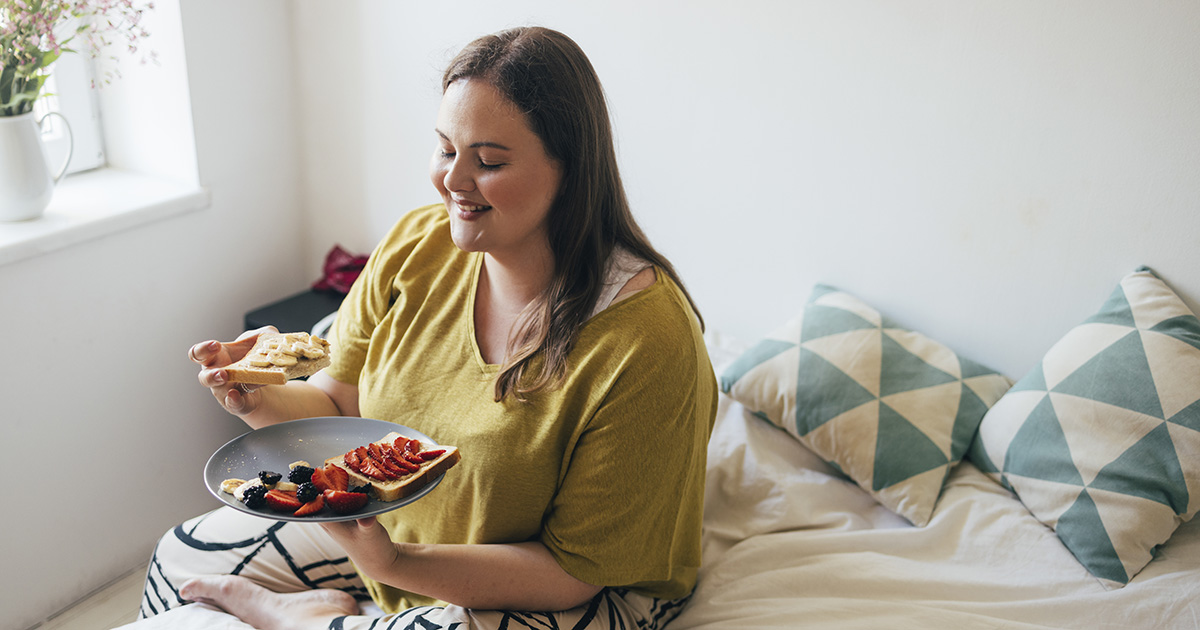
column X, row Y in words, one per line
column 397, row 466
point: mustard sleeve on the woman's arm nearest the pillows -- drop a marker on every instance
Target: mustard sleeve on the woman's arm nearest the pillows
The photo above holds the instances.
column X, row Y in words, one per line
column 631, row 505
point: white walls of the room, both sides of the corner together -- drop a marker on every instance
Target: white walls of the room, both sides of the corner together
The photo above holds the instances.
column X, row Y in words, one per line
column 985, row 172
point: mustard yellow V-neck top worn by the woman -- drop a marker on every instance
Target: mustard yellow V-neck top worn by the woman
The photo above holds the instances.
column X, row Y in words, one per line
column 608, row 471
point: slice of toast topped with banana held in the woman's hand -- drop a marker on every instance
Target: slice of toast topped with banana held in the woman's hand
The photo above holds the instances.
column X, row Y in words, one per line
column 308, row 355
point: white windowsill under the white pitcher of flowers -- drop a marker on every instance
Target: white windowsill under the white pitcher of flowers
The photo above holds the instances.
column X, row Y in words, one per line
column 94, row 205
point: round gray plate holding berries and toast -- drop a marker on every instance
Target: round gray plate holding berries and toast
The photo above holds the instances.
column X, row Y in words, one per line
column 314, row 440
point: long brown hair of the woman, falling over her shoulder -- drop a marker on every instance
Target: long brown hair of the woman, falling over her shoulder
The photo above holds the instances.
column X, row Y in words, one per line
column 549, row 79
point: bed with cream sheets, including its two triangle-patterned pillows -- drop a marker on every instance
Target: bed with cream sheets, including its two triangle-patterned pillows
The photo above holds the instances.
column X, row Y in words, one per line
column 934, row 496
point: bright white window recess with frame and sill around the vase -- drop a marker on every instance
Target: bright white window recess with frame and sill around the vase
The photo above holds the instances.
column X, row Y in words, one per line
column 152, row 169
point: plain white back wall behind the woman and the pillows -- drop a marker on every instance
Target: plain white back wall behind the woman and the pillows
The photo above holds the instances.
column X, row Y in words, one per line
column 985, row 172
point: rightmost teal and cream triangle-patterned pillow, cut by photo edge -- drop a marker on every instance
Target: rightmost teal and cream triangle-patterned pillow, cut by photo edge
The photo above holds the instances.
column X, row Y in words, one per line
column 1101, row 441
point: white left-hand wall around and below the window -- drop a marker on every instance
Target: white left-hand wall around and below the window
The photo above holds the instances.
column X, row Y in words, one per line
column 104, row 428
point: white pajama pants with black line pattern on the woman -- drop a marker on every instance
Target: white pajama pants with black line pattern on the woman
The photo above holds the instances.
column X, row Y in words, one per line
column 290, row 557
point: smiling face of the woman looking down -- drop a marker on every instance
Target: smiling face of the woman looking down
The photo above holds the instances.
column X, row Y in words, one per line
column 494, row 173
